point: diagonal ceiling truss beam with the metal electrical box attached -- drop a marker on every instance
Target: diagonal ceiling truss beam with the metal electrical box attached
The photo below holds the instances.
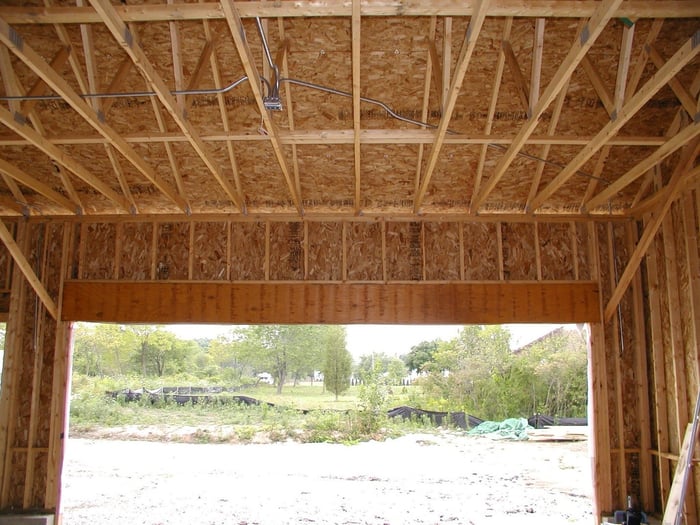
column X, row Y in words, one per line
column 238, row 33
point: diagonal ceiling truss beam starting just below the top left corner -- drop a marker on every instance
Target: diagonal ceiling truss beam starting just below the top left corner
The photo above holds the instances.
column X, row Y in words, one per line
column 33, row 60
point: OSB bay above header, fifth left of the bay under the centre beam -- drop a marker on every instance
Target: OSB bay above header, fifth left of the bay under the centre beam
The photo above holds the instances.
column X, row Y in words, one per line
column 173, row 249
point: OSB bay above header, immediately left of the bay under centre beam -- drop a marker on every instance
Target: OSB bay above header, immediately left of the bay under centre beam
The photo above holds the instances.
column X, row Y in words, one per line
column 325, row 254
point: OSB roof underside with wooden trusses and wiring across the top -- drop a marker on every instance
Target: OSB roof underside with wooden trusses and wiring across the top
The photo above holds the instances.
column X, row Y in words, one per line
column 393, row 108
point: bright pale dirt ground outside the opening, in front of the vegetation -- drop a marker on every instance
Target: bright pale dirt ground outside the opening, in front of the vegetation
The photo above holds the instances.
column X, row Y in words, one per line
column 419, row 478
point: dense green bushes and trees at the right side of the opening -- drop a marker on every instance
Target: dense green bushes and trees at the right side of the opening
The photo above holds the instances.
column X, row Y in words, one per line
column 478, row 373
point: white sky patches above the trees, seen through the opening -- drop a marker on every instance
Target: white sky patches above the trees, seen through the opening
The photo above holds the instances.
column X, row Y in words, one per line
column 390, row 339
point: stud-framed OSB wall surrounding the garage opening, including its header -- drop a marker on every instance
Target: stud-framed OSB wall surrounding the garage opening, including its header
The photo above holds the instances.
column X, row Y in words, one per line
column 636, row 424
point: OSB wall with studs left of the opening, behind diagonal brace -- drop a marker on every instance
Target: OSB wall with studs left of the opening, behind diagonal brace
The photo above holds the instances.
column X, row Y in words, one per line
column 29, row 440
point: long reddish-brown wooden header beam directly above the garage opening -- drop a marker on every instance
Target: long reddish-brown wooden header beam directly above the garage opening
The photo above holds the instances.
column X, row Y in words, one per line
column 331, row 303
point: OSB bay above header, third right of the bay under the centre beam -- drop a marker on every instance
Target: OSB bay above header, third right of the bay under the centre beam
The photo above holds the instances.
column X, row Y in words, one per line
column 481, row 257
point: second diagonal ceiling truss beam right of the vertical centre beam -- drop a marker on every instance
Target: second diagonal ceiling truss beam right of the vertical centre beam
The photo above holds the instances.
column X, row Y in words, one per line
column 584, row 41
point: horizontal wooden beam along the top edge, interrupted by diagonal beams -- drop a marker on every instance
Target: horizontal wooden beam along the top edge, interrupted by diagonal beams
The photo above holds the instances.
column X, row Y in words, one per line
column 312, row 8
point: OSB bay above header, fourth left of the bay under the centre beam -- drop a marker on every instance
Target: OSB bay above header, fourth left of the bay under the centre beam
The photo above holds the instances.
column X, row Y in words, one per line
column 210, row 242
